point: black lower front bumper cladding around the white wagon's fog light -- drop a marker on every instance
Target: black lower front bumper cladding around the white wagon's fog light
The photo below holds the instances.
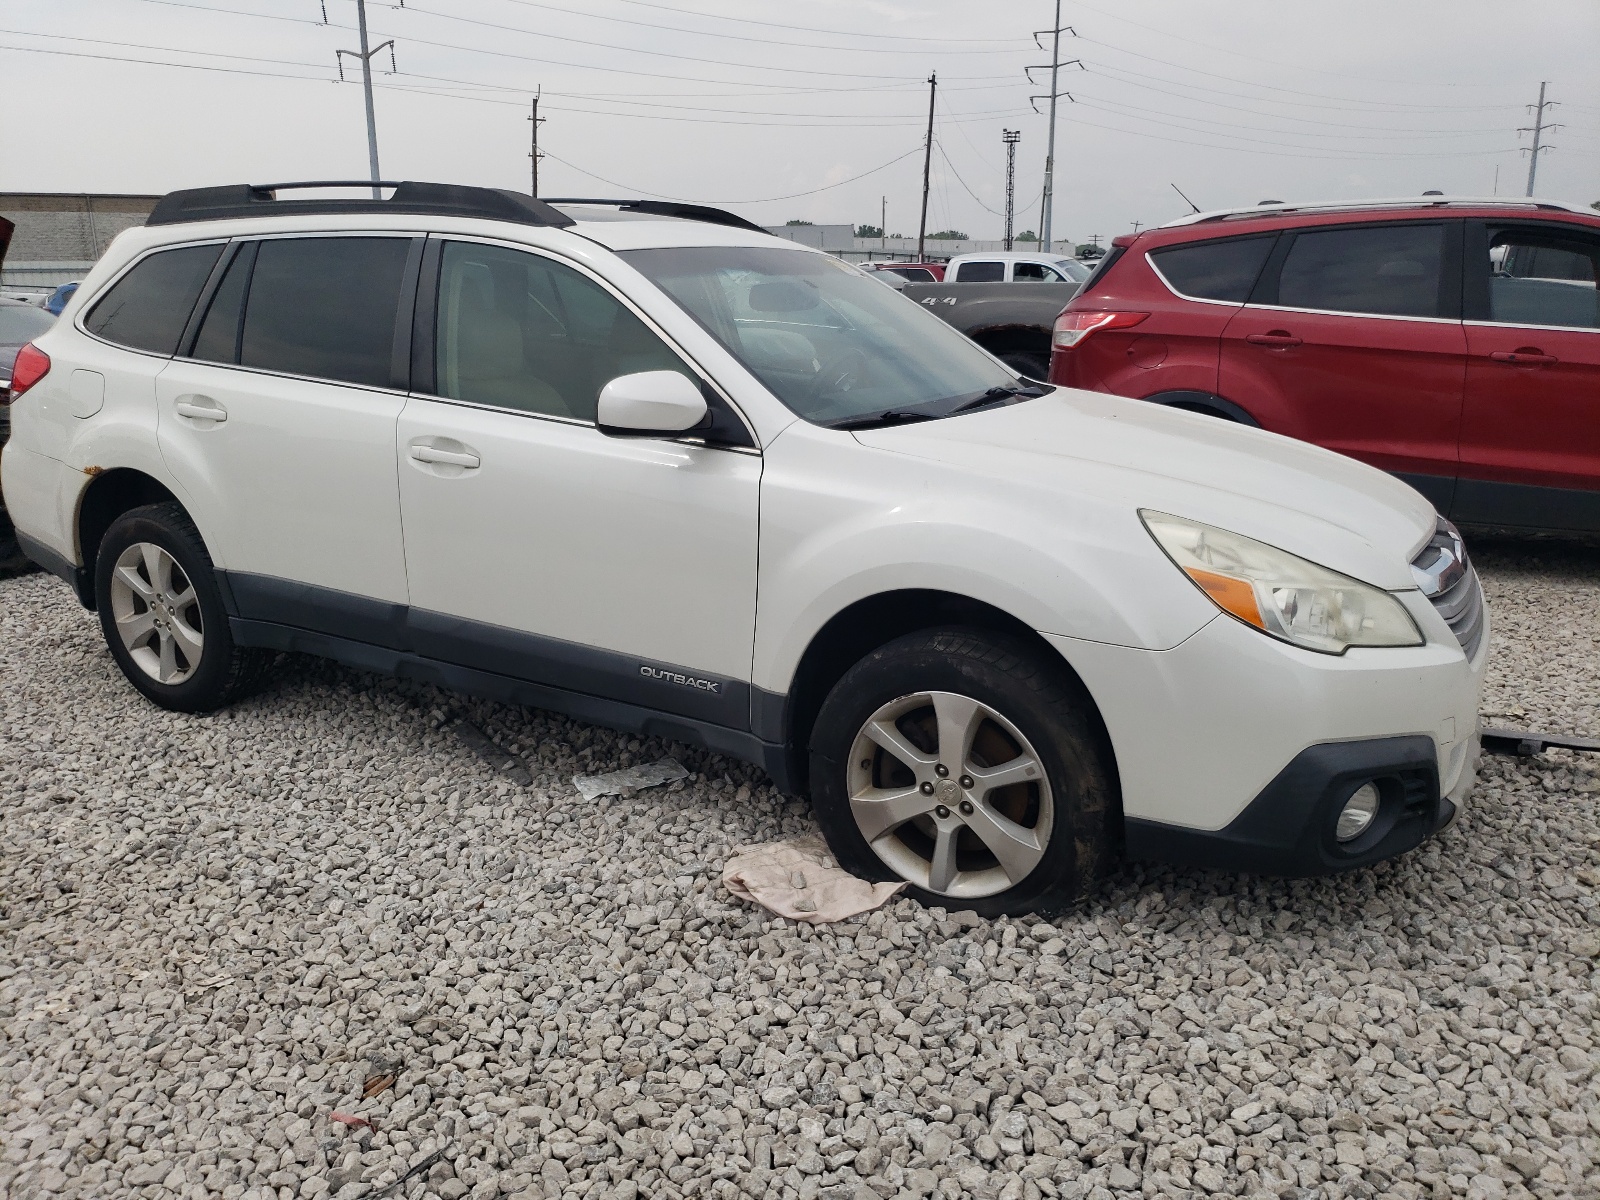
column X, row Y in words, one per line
column 1289, row 828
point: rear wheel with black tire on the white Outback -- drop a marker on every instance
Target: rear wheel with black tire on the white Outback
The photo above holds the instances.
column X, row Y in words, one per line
column 162, row 614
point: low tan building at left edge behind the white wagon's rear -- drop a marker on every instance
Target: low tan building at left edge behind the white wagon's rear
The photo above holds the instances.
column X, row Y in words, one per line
column 62, row 234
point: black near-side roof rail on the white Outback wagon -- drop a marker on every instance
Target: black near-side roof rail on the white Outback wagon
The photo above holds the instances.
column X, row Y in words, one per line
column 234, row 202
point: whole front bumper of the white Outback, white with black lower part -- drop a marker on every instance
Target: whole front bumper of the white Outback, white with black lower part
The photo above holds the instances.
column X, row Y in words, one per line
column 1210, row 730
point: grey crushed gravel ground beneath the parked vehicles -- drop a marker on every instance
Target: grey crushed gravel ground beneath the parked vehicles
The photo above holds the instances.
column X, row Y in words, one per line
column 217, row 930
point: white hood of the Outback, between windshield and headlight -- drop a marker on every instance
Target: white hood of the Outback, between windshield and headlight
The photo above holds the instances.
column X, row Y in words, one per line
column 1110, row 454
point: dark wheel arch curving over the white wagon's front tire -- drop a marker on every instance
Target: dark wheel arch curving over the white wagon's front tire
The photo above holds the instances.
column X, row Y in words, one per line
column 874, row 622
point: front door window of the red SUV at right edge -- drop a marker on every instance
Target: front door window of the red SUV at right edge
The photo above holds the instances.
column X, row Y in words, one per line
column 1545, row 279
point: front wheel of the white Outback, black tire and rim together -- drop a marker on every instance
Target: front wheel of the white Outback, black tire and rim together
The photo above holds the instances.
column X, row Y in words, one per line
column 970, row 767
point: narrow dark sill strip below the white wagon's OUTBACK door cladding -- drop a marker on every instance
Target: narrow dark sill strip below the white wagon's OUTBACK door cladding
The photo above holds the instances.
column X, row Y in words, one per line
column 490, row 686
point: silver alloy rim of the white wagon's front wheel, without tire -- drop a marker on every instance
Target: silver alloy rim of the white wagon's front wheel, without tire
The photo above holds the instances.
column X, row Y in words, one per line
column 950, row 794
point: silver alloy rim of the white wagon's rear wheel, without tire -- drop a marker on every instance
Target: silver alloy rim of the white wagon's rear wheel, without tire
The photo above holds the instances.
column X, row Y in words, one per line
column 158, row 614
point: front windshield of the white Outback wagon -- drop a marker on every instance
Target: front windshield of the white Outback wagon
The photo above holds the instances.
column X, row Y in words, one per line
column 831, row 345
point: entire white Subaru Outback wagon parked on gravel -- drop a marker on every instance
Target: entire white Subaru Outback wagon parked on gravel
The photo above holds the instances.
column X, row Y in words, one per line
column 649, row 466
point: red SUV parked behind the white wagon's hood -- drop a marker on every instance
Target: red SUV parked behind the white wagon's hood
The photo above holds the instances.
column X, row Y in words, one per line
column 1455, row 343
